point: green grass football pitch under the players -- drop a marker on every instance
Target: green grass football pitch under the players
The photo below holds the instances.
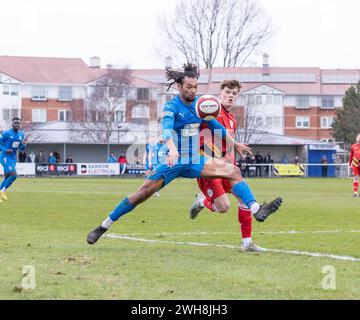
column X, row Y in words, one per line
column 45, row 223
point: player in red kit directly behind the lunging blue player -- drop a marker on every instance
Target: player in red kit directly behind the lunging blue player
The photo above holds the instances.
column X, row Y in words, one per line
column 214, row 191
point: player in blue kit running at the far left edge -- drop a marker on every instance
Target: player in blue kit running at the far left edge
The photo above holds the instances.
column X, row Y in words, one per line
column 10, row 141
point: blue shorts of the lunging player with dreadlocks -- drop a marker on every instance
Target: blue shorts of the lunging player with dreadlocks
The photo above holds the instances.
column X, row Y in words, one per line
column 189, row 170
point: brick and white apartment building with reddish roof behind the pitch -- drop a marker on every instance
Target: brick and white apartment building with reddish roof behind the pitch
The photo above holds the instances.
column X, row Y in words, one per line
column 299, row 102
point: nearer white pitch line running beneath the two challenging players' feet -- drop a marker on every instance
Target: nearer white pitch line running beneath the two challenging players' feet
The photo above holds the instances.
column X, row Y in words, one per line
column 204, row 244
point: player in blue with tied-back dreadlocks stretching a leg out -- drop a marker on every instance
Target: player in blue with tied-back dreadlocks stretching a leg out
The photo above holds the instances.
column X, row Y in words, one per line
column 180, row 132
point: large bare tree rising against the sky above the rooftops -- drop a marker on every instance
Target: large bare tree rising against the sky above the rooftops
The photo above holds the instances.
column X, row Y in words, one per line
column 216, row 32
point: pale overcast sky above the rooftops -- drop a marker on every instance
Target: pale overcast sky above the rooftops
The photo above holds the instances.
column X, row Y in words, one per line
column 311, row 33
